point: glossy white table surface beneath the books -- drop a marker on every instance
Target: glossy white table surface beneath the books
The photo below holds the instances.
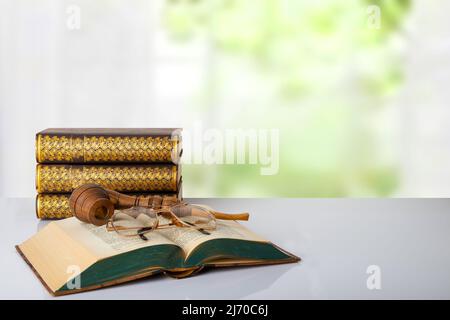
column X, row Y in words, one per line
column 337, row 239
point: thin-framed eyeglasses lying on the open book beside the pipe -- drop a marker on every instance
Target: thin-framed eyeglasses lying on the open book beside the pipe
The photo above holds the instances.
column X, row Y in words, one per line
column 138, row 221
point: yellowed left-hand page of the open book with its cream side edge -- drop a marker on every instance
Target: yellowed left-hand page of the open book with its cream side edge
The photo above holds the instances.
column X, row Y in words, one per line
column 67, row 245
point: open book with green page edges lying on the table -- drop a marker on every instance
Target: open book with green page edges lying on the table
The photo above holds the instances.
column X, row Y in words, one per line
column 69, row 256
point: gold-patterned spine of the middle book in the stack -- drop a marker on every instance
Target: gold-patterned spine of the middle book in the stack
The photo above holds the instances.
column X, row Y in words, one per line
column 122, row 178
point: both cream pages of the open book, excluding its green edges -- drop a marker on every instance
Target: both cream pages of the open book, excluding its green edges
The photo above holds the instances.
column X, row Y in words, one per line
column 65, row 243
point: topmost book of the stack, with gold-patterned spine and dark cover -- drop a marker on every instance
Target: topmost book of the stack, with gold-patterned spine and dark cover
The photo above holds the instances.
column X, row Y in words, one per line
column 126, row 145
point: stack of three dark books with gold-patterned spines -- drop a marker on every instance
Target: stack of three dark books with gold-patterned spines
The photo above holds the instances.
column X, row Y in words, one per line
column 133, row 161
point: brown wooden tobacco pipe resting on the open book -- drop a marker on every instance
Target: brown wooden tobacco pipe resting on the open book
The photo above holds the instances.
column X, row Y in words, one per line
column 91, row 203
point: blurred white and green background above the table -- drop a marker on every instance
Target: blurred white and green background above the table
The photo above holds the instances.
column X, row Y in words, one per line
column 357, row 89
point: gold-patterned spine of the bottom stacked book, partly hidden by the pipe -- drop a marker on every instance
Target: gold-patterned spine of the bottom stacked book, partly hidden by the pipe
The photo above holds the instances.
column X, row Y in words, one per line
column 56, row 206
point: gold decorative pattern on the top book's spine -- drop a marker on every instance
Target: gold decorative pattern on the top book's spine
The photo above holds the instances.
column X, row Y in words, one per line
column 83, row 149
